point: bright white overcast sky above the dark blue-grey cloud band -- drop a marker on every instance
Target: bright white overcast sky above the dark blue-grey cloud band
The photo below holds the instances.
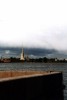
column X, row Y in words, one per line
column 34, row 23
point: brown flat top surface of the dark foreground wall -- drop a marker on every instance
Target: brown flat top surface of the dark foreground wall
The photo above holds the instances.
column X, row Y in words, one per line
column 12, row 74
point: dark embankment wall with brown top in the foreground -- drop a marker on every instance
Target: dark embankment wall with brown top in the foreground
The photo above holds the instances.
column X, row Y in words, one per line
column 33, row 86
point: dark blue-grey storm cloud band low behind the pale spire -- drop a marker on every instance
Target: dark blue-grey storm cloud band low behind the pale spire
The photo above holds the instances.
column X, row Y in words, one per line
column 31, row 52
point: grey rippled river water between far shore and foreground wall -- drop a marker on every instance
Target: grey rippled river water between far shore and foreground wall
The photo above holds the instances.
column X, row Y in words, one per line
column 39, row 66
